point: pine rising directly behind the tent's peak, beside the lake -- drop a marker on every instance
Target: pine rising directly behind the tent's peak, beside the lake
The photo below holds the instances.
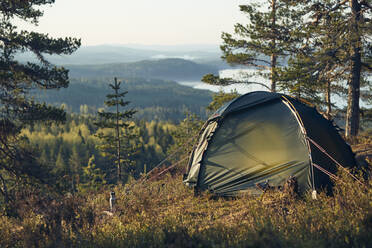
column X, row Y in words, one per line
column 263, row 43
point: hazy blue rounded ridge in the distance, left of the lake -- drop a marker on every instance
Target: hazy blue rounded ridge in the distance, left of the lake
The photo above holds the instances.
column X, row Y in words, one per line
column 168, row 69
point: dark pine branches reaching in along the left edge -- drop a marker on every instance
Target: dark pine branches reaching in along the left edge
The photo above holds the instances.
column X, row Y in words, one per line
column 17, row 79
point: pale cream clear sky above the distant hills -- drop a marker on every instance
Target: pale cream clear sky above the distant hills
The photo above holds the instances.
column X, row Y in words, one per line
column 148, row 22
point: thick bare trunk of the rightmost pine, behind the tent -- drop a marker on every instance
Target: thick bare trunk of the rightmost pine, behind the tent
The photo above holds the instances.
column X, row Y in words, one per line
column 352, row 114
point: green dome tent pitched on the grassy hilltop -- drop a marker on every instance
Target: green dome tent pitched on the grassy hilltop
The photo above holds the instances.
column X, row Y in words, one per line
column 264, row 138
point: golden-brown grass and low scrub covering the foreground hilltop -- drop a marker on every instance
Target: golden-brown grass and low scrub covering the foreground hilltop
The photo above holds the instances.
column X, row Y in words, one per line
column 165, row 213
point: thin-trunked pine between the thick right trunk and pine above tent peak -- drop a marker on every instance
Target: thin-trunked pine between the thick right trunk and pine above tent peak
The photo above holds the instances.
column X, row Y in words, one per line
column 315, row 72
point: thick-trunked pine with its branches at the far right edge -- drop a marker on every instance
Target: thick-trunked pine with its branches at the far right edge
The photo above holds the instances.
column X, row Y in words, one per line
column 355, row 38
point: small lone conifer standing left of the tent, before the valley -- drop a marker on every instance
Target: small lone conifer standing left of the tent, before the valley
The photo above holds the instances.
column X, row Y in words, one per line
column 116, row 142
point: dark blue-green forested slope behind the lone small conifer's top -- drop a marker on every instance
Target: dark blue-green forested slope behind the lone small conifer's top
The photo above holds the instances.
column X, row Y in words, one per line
column 154, row 99
